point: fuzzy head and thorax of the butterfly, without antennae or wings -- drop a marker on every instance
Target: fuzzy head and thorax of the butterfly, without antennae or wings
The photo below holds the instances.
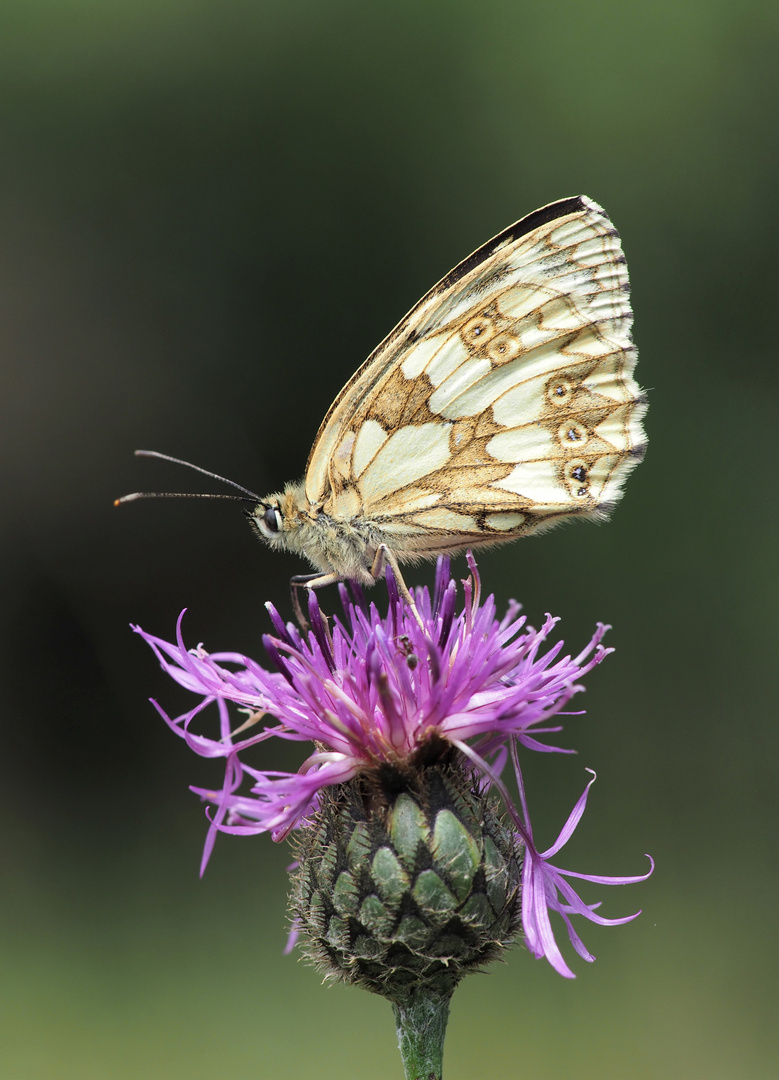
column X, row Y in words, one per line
column 290, row 522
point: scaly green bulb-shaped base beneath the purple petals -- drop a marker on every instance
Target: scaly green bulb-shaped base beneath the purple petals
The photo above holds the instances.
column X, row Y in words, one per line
column 407, row 881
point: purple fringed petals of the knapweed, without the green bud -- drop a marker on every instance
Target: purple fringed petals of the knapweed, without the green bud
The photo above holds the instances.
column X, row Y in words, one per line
column 375, row 692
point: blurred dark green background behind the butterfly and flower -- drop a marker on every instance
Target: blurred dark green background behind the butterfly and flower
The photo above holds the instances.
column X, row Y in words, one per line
column 211, row 211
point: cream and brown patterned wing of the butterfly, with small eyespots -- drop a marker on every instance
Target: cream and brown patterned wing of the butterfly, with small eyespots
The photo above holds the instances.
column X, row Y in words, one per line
column 503, row 403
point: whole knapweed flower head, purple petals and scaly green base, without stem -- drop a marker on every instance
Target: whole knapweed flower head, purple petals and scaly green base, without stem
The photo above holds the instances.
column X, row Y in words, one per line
column 415, row 861
